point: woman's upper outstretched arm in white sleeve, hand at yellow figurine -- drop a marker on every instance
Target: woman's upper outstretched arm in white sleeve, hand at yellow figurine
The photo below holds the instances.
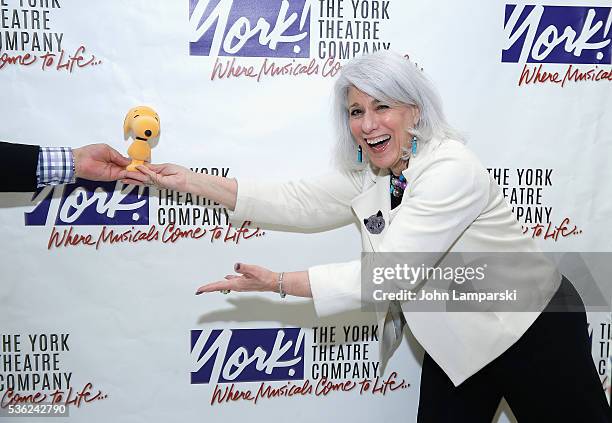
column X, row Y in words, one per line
column 314, row 204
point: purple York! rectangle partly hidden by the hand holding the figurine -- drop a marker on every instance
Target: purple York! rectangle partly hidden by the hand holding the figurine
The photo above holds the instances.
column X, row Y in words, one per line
column 90, row 203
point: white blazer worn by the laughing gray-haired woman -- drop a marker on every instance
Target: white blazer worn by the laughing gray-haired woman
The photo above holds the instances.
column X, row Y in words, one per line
column 450, row 204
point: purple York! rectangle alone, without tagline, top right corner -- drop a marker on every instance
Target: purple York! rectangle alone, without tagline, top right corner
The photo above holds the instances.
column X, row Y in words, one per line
column 557, row 34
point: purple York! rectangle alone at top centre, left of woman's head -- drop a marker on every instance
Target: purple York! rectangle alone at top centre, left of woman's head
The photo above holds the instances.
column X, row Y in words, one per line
column 249, row 28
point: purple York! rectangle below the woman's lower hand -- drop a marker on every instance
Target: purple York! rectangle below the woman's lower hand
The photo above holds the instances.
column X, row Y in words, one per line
column 247, row 355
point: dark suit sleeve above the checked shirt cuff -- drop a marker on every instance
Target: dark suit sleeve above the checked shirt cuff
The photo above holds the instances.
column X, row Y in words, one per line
column 18, row 164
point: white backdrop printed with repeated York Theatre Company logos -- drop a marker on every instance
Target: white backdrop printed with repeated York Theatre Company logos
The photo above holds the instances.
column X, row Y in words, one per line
column 97, row 304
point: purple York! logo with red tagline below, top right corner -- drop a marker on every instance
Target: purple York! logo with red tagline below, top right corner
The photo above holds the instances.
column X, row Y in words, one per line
column 542, row 38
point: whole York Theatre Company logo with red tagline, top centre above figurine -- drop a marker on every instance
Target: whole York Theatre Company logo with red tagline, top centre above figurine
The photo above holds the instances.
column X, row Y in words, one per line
column 288, row 37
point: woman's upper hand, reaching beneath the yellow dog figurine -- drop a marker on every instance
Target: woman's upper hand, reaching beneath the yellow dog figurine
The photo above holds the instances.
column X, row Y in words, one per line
column 169, row 176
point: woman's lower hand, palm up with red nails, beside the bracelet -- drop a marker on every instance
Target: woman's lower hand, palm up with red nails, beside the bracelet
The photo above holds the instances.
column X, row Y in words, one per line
column 251, row 278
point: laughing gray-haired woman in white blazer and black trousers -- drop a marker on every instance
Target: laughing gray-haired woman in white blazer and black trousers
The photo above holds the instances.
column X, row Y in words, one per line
column 409, row 183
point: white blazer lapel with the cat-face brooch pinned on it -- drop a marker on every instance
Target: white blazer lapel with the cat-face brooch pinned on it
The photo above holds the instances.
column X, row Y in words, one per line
column 372, row 207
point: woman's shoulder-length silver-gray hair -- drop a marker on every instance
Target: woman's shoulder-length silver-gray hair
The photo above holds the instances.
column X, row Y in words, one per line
column 393, row 79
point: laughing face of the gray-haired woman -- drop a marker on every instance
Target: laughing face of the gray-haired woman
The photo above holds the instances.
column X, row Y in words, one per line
column 380, row 128
